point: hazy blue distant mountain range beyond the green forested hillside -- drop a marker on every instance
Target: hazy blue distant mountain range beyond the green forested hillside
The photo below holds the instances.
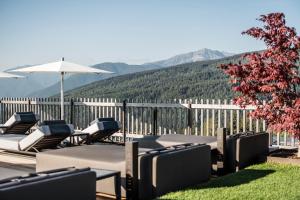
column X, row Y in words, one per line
column 48, row 84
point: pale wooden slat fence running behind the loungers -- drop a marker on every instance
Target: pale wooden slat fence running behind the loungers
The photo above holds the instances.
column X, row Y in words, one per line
column 188, row 116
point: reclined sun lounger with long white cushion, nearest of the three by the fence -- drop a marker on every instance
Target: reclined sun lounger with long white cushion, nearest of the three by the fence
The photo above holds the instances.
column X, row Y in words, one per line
column 46, row 136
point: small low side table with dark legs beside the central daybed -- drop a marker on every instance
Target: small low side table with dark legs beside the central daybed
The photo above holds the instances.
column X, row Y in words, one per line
column 104, row 173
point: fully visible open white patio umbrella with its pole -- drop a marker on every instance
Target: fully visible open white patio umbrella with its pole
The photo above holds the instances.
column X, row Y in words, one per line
column 61, row 67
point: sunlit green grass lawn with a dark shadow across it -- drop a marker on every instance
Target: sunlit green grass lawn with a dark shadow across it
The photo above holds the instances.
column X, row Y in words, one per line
column 263, row 181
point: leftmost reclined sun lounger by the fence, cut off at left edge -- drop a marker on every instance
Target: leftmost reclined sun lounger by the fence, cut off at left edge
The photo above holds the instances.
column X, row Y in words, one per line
column 19, row 123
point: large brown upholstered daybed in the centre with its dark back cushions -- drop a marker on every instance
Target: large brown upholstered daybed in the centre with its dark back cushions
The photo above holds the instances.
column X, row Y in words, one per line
column 186, row 165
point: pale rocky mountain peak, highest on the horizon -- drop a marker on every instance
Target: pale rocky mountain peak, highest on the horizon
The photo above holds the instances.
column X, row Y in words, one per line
column 199, row 55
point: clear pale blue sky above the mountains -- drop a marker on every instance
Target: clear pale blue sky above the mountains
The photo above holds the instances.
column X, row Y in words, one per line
column 95, row 31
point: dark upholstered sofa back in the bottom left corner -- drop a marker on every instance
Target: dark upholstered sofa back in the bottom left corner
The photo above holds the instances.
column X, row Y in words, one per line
column 62, row 184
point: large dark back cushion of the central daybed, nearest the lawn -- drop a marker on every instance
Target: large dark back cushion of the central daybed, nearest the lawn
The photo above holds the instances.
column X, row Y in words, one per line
column 179, row 169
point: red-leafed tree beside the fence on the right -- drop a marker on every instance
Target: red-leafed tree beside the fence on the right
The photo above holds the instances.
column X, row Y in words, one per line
column 271, row 75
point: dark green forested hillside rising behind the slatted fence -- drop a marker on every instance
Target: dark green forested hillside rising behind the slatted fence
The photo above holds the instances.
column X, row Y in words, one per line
column 192, row 80
